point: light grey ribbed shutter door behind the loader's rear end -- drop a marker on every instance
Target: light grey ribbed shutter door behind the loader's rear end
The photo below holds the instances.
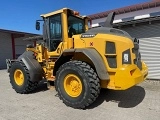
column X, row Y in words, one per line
column 150, row 49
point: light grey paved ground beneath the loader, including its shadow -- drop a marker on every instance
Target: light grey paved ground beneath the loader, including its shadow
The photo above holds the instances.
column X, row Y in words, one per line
column 141, row 102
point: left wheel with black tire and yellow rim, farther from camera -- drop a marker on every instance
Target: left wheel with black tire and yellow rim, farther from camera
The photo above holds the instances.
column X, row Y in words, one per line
column 20, row 79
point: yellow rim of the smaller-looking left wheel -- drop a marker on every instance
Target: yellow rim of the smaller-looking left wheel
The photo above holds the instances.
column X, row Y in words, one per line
column 19, row 77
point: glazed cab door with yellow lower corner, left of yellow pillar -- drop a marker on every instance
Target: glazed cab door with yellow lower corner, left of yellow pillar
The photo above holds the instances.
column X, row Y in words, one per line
column 55, row 43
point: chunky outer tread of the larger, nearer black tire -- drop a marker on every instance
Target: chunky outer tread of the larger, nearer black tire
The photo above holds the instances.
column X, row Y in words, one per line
column 93, row 82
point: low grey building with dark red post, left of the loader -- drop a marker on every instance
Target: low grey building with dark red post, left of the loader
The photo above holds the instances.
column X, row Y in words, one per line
column 12, row 45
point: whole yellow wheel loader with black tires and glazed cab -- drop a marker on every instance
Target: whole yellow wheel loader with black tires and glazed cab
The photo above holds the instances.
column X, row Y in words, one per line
column 79, row 60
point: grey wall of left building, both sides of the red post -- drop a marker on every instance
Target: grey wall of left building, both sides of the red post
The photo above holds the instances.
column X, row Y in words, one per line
column 6, row 51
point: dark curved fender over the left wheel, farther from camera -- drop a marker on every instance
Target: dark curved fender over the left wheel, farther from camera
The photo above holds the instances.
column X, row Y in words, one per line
column 33, row 66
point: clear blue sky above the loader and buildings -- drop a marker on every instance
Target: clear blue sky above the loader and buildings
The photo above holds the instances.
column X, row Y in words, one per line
column 20, row 15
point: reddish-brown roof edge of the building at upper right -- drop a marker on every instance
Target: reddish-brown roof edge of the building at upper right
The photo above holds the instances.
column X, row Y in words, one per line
column 132, row 8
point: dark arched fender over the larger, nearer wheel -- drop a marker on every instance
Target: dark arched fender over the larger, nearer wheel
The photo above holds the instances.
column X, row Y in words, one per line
column 91, row 54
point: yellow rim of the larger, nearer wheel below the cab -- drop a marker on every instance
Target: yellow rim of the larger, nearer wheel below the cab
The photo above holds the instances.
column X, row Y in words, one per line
column 72, row 85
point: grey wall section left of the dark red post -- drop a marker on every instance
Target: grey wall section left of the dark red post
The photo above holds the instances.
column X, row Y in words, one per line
column 5, row 48
